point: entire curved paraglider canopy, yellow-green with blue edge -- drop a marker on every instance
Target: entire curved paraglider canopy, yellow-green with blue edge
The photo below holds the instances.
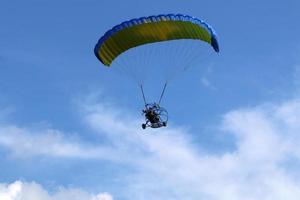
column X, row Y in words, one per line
column 152, row 29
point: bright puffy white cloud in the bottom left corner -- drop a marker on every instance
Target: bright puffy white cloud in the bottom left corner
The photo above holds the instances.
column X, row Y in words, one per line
column 33, row 191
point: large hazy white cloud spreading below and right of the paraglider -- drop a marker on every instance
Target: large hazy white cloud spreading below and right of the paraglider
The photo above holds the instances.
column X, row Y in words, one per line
column 171, row 168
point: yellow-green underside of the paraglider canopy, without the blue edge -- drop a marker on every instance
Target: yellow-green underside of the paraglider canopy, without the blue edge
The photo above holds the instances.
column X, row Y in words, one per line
column 149, row 32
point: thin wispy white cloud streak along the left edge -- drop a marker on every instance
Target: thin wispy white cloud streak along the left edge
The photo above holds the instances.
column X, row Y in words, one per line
column 24, row 142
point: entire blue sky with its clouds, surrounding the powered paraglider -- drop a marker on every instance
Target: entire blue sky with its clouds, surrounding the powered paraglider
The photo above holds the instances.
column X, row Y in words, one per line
column 69, row 128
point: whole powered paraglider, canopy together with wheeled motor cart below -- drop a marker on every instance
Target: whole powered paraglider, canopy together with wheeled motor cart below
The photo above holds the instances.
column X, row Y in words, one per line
column 149, row 30
